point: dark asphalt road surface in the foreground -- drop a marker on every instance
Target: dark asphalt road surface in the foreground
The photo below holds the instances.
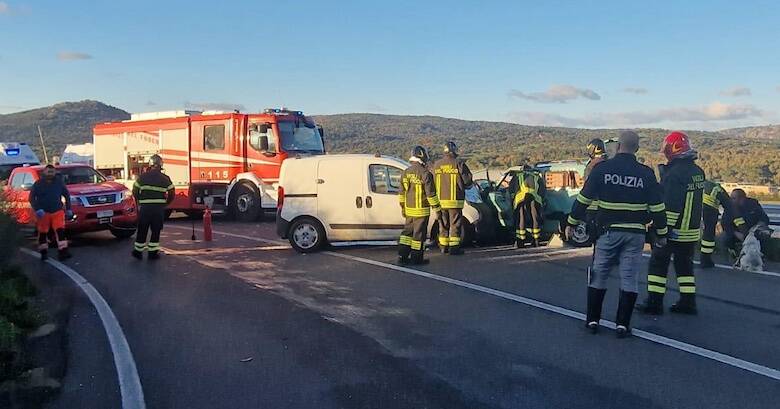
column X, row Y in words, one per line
column 245, row 322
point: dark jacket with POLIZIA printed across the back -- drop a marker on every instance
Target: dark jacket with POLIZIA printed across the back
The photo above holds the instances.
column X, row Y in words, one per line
column 628, row 196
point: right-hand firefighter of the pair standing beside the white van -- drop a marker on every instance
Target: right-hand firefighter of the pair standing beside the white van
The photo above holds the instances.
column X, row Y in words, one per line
column 452, row 177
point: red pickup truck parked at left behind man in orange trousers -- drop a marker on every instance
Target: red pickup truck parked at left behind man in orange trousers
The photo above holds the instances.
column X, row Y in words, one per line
column 98, row 203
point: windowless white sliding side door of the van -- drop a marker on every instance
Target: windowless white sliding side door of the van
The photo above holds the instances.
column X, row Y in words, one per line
column 340, row 193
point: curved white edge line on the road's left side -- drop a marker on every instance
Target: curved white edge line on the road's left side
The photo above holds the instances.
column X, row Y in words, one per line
column 129, row 382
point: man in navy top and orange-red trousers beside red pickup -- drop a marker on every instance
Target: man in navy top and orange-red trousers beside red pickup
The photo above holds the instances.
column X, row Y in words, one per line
column 46, row 199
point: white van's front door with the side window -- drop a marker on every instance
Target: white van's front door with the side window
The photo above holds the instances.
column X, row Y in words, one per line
column 384, row 220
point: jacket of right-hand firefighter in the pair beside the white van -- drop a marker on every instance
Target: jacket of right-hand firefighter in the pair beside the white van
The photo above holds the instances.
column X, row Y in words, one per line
column 452, row 178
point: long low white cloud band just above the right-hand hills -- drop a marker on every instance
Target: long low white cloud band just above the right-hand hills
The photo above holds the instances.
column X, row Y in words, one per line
column 715, row 111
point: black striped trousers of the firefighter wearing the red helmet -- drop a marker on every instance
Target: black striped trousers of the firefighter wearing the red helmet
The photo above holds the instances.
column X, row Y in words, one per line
column 683, row 268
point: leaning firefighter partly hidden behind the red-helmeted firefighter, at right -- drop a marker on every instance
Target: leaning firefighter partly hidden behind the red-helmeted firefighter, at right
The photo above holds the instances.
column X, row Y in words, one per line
column 714, row 197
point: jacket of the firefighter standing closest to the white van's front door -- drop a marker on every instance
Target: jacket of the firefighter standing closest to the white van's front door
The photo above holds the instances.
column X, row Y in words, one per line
column 418, row 192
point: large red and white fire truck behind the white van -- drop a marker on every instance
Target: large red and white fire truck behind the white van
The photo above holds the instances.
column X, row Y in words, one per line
column 229, row 159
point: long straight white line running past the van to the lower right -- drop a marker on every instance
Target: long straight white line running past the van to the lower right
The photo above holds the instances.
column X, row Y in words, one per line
column 649, row 336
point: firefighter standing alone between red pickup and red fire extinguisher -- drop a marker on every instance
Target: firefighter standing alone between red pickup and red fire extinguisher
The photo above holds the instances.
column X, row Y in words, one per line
column 153, row 191
